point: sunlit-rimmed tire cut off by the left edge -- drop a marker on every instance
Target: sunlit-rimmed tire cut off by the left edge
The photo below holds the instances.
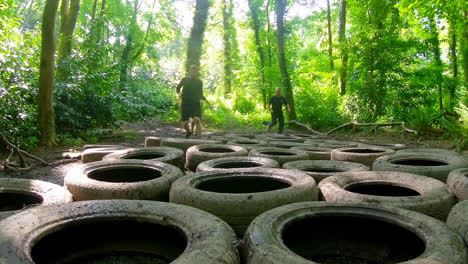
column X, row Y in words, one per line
column 36, row 192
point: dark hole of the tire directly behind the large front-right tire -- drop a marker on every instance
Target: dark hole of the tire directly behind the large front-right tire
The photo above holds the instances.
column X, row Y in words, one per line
column 381, row 189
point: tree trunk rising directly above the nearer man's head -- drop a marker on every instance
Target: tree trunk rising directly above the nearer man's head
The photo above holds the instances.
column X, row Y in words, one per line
column 195, row 41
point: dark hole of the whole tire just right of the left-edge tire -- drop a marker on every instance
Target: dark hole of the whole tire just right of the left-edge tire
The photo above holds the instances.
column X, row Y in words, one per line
column 124, row 174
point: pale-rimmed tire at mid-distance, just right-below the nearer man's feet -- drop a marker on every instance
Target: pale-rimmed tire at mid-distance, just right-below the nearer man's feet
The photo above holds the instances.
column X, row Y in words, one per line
column 199, row 153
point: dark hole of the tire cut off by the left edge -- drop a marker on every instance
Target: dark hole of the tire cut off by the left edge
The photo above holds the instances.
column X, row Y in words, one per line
column 11, row 201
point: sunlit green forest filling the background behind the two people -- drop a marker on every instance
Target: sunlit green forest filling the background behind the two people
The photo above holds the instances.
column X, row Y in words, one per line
column 71, row 68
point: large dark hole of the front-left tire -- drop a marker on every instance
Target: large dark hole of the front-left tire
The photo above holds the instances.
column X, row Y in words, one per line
column 111, row 241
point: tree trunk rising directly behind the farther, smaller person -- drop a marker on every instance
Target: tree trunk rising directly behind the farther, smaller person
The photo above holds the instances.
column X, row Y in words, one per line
column 280, row 7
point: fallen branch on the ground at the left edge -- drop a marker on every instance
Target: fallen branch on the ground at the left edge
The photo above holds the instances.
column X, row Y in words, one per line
column 23, row 166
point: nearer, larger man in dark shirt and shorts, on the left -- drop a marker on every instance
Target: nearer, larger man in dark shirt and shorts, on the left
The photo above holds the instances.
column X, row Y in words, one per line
column 191, row 96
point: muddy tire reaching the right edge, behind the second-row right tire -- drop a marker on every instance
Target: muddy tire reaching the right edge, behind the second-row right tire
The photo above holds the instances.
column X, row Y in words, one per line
column 436, row 165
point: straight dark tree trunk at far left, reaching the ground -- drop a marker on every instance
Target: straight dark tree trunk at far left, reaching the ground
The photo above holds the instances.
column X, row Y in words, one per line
column 47, row 136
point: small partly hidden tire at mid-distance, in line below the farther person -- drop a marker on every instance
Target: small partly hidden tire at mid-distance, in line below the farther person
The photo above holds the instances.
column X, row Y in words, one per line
column 279, row 154
